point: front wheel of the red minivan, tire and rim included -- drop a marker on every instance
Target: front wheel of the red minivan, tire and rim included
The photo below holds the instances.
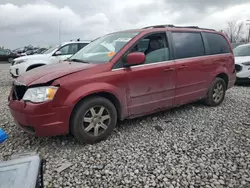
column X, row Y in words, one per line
column 84, row 124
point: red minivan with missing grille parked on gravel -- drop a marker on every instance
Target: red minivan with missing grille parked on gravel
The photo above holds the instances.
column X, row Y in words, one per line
column 123, row 75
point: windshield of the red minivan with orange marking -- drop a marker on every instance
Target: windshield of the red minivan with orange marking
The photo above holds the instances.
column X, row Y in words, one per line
column 104, row 48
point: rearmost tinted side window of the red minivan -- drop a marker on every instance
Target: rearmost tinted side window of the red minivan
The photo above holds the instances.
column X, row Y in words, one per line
column 217, row 44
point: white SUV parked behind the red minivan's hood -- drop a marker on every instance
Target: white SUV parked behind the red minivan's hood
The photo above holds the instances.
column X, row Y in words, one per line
column 53, row 55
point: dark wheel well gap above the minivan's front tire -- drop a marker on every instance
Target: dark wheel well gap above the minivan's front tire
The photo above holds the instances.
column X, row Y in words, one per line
column 112, row 98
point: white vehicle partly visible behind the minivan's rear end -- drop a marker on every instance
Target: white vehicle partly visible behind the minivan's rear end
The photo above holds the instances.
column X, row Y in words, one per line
column 242, row 63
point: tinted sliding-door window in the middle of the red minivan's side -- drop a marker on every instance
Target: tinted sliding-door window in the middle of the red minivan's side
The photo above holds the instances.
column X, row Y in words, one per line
column 188, row 45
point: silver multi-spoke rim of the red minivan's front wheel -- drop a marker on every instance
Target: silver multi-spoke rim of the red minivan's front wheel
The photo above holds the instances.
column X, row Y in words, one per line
column 96, row 120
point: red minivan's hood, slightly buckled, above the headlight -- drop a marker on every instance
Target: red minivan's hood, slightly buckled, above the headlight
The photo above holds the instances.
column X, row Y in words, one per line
column 47, row 73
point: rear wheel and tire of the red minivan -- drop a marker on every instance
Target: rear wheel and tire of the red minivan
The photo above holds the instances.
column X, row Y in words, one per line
column 216, row 93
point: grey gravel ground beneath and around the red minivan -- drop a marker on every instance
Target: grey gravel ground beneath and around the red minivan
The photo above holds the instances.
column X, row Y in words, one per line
column 191, row 146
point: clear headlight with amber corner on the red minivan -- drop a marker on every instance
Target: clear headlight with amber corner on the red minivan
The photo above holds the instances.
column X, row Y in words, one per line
column 40, row 94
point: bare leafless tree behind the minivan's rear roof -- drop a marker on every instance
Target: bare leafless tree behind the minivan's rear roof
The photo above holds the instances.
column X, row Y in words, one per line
column 234, row 31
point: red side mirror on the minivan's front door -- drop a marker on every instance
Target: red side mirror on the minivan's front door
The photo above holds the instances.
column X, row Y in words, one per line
column 134, row 58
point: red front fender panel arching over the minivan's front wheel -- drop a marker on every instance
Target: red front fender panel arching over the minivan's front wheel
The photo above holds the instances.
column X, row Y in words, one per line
column 95, row 88
